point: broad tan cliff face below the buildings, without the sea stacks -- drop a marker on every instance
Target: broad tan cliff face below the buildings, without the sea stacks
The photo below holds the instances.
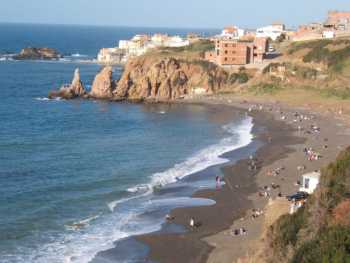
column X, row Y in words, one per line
column 168, row 79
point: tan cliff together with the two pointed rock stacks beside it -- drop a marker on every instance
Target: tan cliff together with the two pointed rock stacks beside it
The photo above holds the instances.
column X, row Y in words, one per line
column 148, row 78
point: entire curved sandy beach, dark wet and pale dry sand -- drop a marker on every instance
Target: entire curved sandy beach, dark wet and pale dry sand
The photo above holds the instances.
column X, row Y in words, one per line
column 287, row 131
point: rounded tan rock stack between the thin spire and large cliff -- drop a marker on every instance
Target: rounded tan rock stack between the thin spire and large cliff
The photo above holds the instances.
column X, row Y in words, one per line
column 103, row 86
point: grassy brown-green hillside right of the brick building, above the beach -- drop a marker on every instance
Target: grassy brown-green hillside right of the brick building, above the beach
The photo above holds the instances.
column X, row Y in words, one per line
column 321, row 66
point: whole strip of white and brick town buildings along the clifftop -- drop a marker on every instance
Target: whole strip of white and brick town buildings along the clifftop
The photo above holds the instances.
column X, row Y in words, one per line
column 235, row 46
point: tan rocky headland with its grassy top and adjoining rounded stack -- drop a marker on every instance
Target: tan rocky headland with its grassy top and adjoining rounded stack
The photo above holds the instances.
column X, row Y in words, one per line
column 165, row 75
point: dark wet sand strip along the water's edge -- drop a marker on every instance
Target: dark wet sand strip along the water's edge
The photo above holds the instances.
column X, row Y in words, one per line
column 231, row 201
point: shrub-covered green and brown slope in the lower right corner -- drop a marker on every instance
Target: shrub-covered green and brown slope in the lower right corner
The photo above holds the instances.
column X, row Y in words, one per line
column 316, row 233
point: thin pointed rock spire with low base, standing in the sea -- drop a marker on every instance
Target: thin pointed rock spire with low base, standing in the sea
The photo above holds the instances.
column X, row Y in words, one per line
column 74, row 90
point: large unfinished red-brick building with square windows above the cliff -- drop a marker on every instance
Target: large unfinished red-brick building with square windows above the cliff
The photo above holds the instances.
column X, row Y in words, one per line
column 235, row 52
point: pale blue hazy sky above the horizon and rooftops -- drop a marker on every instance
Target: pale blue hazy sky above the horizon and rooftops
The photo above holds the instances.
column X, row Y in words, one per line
column 166, row 13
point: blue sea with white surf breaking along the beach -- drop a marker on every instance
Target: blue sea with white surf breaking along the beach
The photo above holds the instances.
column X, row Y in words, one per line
column 78, row 176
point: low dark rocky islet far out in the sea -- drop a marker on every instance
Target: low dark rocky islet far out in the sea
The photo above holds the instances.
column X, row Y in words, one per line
column 38, row 53
